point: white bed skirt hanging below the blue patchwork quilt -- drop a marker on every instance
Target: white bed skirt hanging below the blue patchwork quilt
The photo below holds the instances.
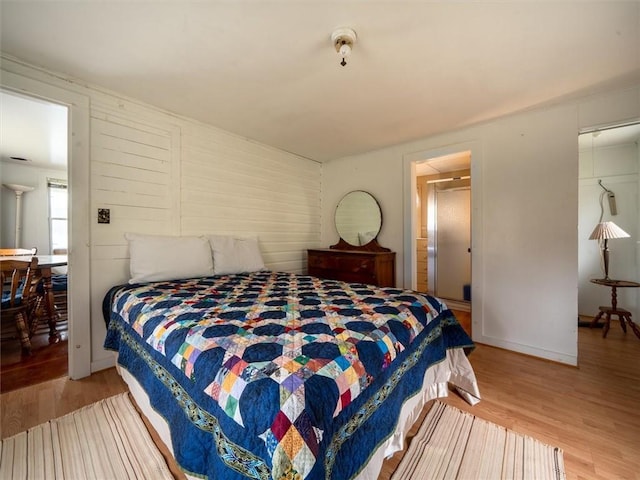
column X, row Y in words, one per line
column 455, row 371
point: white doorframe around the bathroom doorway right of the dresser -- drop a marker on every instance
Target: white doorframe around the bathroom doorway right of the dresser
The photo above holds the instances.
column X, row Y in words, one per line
column 409, row 223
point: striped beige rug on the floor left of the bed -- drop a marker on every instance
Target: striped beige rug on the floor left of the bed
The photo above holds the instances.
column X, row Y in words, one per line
column 105, row 440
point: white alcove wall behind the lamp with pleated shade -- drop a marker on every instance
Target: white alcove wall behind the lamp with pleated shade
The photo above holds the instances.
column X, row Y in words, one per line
column 617, row 166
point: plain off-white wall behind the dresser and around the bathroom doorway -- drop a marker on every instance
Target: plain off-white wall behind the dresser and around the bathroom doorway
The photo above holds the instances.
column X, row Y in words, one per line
column 524, row 216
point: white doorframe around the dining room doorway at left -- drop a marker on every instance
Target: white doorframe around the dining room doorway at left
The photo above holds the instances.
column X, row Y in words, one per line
column 79, row 294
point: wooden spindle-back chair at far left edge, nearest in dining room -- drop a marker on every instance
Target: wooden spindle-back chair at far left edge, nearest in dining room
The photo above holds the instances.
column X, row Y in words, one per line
column 18, row 297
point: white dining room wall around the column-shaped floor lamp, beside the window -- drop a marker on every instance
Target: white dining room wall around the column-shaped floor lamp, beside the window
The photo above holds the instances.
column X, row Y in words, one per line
column 34, row 206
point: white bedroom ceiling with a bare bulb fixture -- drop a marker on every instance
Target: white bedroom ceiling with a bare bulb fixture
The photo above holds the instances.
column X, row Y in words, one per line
column 266, row 70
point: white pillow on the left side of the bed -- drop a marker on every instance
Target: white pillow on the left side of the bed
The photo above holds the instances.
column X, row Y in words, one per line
column 155, row 258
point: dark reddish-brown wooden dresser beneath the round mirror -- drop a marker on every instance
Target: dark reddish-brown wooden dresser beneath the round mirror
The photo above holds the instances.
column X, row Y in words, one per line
column 358, row 266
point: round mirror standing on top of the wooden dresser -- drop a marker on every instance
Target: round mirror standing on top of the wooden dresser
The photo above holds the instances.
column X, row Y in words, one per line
column 358, row 218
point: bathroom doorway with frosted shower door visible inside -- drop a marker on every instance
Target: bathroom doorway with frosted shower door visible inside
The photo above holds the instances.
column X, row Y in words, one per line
column 439, row 220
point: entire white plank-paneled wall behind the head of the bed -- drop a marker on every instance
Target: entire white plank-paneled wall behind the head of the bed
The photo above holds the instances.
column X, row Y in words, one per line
column 159, row 173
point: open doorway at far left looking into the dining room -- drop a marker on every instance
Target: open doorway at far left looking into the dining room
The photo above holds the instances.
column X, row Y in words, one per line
column 34, row 161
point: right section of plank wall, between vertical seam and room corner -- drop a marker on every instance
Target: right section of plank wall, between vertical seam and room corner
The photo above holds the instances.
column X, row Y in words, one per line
column 230, row 185
